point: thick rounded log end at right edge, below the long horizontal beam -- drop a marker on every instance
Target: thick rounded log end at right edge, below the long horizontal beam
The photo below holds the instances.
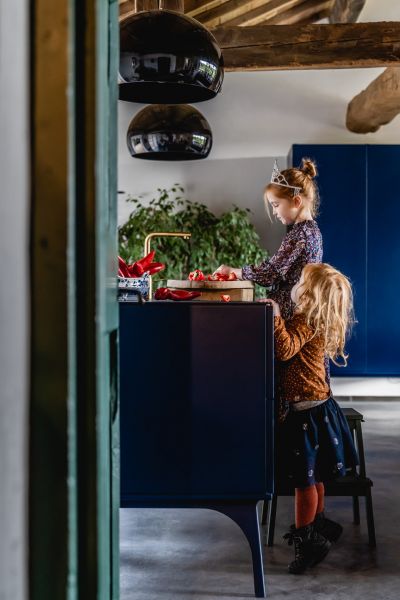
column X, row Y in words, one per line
column 377, row 105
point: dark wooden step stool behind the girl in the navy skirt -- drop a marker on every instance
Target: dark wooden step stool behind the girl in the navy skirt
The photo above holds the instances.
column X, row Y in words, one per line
column 355, row 484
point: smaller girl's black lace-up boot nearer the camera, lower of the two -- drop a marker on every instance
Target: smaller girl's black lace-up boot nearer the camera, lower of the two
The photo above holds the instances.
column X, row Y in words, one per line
column 310, row 548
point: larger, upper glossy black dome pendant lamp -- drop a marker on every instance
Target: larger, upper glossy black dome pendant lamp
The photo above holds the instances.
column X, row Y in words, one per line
column 168, row 57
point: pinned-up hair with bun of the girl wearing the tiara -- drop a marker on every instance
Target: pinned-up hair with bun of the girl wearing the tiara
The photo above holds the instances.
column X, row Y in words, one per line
column 303, row 178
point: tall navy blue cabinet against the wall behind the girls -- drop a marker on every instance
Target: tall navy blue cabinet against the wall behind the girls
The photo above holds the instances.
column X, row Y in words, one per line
column 360, row 194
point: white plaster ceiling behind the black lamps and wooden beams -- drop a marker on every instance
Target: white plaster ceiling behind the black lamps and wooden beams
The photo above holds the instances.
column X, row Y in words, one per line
column 263, row 113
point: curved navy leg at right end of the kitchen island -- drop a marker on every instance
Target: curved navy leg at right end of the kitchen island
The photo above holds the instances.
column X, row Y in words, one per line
column 246, row 516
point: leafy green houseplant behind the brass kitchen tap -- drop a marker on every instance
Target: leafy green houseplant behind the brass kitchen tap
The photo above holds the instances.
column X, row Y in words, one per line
column 229, row 238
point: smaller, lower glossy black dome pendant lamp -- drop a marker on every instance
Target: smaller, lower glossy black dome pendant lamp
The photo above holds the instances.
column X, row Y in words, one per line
column 169, row 132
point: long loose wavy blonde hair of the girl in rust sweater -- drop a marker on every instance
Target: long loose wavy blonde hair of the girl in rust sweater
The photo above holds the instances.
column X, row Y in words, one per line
column 326, row 300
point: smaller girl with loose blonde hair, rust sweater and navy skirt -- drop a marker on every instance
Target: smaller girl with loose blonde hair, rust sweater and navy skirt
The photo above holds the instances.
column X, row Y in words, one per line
column 314, row 441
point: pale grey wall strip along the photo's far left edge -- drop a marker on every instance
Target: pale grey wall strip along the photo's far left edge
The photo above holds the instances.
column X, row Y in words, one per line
column 14, row 297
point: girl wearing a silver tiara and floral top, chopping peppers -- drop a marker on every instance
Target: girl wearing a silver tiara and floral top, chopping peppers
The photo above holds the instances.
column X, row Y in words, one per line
column 293, row 197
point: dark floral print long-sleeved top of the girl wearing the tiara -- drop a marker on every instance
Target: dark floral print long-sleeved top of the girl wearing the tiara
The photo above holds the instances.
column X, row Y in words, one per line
column 301, row 245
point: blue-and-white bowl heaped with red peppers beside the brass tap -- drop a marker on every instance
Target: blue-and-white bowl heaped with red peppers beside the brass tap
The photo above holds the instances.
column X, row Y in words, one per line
column 133, row 279
